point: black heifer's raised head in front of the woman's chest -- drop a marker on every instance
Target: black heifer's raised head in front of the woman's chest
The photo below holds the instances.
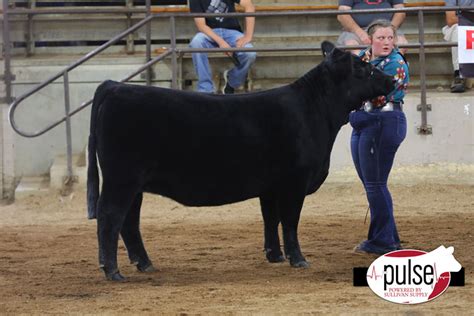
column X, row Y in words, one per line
column 355, row 80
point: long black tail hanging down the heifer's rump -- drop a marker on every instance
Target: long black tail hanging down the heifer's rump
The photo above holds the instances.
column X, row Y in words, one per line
column 92, row 170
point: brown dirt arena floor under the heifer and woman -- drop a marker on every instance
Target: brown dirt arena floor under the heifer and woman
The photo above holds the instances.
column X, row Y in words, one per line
column 210, row 260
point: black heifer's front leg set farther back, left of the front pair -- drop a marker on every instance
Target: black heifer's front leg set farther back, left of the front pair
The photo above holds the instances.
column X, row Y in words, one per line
column 271, row 220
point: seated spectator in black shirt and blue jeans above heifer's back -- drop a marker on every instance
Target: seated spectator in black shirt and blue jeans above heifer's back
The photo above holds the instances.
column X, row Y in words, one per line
column 223, row 32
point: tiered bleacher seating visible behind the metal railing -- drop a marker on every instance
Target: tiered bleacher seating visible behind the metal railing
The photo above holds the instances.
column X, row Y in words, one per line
column 73, row 34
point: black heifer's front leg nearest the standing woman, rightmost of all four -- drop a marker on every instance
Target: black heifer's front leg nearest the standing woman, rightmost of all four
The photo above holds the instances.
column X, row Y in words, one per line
column 290, row 209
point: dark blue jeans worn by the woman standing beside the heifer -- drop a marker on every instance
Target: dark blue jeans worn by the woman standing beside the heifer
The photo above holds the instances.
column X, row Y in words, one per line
column 374, row 142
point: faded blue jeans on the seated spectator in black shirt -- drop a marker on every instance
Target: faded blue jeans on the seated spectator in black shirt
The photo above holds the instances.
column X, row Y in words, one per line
column 236, row 76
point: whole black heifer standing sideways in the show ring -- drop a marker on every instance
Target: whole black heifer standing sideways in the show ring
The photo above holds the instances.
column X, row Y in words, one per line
column 201, row 149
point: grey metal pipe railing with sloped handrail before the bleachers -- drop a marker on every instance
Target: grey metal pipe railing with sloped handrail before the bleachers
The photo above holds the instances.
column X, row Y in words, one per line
column 174, row 51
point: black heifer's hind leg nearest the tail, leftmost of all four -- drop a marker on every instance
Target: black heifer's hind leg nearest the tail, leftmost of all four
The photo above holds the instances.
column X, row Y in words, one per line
column 114, row 203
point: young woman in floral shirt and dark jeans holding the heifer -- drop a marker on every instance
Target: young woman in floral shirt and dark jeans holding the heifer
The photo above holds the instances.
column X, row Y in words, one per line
column 379, row 128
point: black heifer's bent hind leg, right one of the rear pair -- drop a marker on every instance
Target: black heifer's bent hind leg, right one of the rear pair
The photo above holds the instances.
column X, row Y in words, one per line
column 132, row 238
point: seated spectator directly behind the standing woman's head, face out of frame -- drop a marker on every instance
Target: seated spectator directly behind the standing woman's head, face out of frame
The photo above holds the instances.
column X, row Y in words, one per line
column 355, row 26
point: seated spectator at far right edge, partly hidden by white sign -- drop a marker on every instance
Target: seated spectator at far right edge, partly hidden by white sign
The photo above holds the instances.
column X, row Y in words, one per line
column 450, row 32
